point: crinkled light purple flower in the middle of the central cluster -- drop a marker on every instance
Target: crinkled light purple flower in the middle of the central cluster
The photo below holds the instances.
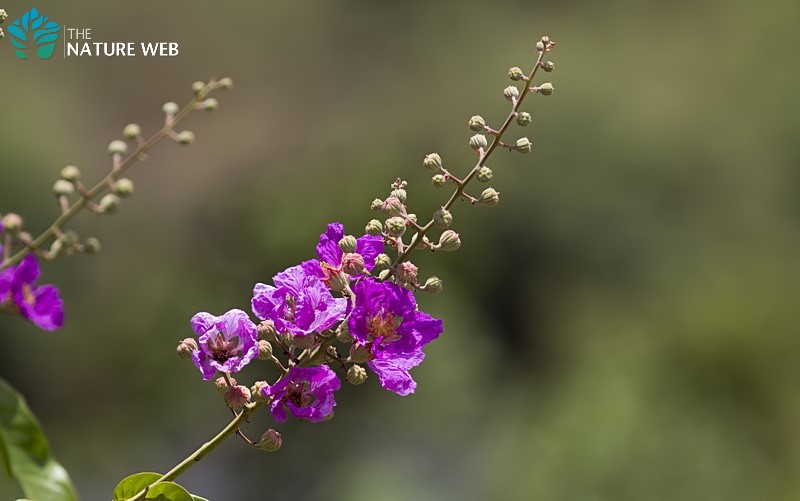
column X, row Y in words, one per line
column 300, row 304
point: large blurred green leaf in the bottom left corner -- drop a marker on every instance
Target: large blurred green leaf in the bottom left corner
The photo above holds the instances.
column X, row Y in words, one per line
column 26, row 454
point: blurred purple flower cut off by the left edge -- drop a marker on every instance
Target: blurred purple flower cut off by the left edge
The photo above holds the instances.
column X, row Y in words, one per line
column 39, row 304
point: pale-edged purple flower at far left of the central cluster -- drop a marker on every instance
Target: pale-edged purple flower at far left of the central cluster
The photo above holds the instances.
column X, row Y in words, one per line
column 225, row 343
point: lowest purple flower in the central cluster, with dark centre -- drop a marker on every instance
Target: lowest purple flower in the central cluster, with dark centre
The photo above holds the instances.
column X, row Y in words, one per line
column 306, row 391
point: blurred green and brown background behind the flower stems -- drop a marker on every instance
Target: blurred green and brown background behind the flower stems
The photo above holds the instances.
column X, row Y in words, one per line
column 623, row 326
